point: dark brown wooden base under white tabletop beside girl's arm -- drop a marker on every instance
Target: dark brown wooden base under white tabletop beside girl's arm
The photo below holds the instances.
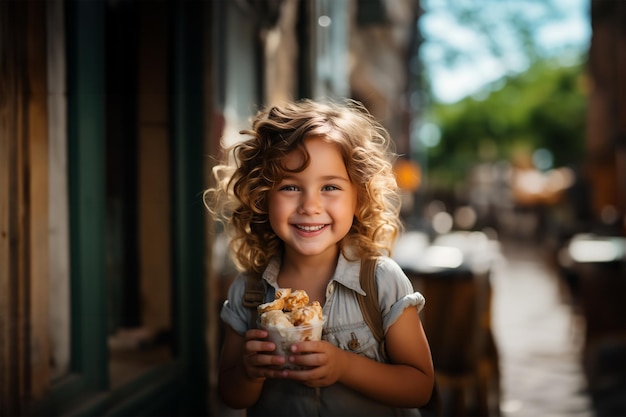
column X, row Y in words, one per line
column 457, row 322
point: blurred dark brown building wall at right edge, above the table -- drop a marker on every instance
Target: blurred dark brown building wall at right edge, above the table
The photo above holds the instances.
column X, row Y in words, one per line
column 606, row 116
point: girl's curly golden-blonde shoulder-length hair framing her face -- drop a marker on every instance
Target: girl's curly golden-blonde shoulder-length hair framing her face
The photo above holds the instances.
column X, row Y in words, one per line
column 240, row 196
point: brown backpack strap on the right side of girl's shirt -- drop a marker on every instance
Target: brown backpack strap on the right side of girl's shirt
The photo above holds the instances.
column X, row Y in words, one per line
column 370, row 307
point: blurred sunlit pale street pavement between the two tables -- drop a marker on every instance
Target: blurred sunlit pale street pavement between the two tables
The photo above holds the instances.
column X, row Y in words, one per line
column 539, row 338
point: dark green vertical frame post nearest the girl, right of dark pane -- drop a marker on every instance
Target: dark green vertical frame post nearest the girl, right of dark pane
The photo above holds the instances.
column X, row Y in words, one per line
column 189, row 213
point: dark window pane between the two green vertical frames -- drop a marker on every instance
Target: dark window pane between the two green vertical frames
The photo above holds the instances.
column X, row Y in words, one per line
column 138, row 191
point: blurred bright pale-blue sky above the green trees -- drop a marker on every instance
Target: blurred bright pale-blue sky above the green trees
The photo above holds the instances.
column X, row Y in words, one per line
column 565, row 33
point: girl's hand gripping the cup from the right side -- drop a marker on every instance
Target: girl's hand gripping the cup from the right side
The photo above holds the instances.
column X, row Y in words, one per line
column 323, row 363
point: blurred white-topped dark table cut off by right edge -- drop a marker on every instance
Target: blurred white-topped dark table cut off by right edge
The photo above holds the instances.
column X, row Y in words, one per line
column 597, row 264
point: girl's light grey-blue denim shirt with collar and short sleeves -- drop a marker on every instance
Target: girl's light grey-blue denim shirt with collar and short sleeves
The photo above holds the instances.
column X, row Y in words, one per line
column 343, row 323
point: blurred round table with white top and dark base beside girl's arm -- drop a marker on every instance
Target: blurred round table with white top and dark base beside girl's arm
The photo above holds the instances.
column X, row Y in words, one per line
column 453, row 274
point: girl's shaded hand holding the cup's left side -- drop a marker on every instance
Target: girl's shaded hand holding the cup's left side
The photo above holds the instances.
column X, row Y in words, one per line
column 258, row 359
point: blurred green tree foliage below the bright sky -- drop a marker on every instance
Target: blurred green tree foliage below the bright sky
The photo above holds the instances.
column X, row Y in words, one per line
column 543, row 107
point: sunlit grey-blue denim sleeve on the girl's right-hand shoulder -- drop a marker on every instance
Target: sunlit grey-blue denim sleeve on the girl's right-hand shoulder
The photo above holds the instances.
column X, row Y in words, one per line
column 395, row 292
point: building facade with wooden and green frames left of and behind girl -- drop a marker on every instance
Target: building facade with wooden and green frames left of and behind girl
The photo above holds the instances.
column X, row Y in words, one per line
column 111, row 115
